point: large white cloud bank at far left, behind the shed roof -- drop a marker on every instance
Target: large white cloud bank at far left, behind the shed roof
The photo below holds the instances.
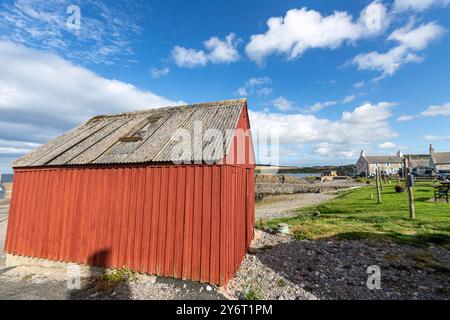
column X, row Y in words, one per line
column 42, row 95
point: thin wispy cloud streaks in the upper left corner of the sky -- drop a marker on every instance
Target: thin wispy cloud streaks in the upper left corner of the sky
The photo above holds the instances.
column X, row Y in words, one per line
column 106, row 35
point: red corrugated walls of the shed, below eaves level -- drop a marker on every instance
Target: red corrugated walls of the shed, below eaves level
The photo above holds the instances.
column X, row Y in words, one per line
column 190, row 222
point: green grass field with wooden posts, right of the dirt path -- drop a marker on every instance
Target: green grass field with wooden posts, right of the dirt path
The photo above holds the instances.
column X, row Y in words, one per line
column 356, row 214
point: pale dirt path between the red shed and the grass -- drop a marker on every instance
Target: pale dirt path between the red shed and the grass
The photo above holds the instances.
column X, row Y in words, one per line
column 278, row 206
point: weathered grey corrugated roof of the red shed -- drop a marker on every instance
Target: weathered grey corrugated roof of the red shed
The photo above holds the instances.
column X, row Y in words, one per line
column 140, row 137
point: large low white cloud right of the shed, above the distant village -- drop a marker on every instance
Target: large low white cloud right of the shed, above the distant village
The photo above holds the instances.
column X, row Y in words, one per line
column 342, row 138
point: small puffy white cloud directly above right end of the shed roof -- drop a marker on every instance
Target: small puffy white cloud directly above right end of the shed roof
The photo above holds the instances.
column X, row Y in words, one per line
column 219, row 51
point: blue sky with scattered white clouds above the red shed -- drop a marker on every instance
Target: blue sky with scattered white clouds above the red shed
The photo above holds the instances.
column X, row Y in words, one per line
column 330, row 78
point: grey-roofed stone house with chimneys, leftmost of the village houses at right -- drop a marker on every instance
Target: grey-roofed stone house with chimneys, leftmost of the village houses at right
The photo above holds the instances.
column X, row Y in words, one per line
column 367, row 165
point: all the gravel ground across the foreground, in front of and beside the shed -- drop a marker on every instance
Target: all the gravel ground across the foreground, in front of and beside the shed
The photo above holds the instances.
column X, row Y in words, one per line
column 277, row 267
